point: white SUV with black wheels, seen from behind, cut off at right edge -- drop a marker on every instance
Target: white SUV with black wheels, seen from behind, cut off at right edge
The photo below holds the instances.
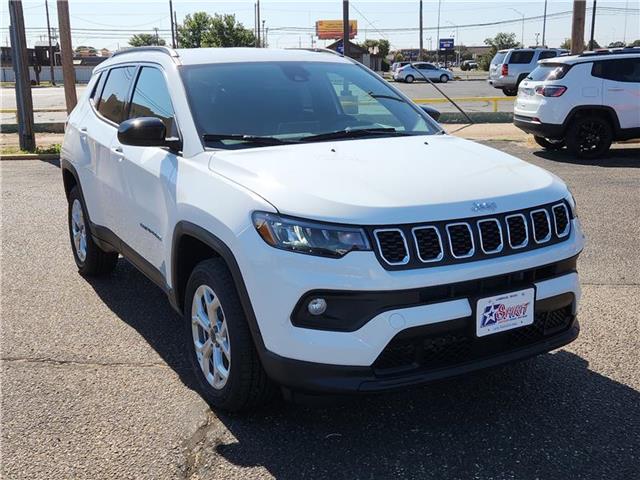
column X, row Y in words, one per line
column 584, row 102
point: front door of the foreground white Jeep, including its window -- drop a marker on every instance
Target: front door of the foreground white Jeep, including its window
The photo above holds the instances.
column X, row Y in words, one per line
column 149, row 173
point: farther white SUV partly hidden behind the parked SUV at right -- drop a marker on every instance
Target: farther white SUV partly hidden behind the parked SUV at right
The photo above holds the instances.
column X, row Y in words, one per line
column 509, row 67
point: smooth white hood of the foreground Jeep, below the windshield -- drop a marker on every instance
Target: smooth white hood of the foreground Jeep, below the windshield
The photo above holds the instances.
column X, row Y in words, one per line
column 388, row 180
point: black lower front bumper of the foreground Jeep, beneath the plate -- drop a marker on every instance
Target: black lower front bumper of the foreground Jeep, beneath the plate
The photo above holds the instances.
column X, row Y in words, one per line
column 421, row 355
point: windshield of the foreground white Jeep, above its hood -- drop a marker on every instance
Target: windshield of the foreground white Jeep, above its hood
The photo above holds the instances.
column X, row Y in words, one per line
column 291, row 101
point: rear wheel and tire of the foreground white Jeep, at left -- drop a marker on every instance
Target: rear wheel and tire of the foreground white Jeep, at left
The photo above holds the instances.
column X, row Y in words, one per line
column 90, row 258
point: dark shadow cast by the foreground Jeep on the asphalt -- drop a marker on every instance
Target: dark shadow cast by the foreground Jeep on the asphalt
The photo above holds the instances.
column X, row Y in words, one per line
column 549, row 417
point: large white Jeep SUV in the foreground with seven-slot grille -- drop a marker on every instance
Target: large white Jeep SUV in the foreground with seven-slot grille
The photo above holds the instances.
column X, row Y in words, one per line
column 315, row 228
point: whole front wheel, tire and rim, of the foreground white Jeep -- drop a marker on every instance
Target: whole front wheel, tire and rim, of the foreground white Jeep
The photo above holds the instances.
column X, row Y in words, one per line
column 219, row 343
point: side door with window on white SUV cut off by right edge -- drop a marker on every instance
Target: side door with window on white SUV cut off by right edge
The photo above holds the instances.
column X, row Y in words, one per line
column 621, row 88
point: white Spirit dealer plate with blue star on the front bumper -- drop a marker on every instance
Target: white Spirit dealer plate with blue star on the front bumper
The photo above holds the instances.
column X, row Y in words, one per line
column 504, row 312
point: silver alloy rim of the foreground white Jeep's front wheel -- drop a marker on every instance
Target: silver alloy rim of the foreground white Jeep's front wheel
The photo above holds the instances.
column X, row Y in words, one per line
column 211, row 337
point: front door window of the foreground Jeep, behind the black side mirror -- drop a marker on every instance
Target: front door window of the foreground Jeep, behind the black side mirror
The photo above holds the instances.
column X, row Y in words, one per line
column 151, row 98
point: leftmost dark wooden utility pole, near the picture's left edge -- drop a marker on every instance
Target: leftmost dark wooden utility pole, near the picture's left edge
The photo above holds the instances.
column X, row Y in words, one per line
column 23, row 85
